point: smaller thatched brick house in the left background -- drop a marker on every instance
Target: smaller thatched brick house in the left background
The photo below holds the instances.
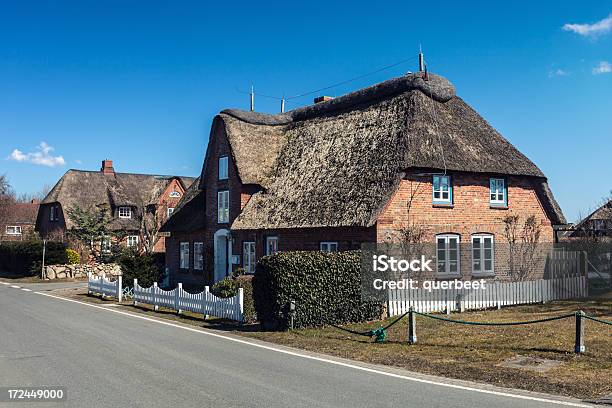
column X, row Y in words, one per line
column 137, row 204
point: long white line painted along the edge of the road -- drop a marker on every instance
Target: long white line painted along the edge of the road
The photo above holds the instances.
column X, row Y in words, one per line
column 325, row 360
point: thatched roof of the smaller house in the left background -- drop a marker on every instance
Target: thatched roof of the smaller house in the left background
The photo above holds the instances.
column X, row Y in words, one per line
column 87, row 189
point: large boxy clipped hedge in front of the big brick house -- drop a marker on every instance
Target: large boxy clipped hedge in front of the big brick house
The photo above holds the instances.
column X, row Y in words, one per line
column 325, row 287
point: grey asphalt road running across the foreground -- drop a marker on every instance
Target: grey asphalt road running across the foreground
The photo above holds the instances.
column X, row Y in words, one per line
column 109, row 359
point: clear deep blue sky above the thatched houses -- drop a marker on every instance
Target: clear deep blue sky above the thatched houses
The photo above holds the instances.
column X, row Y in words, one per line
column 139, row 82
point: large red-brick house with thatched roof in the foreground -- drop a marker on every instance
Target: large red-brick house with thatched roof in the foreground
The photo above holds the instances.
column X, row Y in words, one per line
column 356, row 169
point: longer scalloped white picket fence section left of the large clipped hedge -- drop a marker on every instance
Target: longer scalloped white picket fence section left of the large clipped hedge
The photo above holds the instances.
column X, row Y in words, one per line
column 180, row 300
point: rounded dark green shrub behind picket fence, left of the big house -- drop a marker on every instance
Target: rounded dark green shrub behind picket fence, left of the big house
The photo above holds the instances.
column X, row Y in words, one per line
column 143, row 267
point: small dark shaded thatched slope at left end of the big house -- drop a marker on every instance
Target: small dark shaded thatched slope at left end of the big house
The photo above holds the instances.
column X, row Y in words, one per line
column 190, row 213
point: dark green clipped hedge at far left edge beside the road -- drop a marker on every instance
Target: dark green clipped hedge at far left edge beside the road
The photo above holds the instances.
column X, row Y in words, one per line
column 25, row 257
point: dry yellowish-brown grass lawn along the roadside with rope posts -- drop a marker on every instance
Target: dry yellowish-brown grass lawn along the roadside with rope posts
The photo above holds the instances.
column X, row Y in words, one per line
column 458, row 351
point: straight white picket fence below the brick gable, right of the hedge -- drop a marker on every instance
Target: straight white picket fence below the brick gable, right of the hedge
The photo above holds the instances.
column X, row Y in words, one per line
column 496, row 295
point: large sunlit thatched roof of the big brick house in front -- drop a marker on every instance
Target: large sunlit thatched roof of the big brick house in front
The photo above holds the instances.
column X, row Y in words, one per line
column 336, row 163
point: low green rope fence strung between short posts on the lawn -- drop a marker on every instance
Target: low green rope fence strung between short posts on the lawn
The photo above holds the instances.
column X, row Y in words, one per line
column 380, row 334
